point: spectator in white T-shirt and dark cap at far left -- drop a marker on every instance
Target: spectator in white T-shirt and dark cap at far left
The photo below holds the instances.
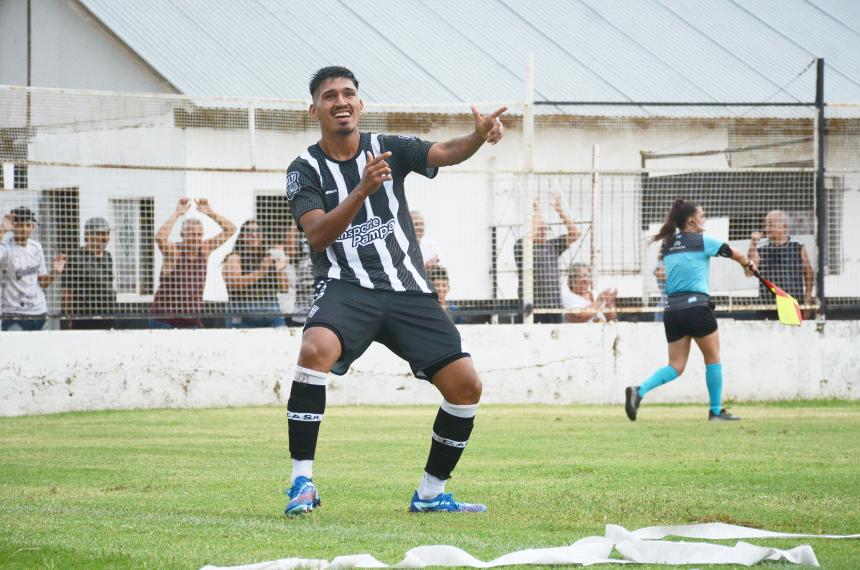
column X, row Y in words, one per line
column 22, row 264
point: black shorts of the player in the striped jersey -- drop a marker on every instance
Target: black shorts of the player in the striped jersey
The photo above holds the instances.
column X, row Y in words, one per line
column 412, row 325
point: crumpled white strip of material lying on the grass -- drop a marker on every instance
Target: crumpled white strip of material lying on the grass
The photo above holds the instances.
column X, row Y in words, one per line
column 643, row 546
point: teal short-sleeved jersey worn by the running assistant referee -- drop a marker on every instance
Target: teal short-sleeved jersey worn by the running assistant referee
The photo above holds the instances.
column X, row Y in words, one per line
column 687, row 258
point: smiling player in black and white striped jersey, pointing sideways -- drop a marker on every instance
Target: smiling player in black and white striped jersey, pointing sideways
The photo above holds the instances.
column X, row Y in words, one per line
column 346, row 193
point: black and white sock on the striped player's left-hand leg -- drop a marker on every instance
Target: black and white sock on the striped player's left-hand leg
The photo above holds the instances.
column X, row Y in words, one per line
column 305, row 411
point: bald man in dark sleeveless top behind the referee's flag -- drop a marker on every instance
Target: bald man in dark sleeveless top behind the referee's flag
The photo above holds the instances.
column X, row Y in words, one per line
column 782, row 260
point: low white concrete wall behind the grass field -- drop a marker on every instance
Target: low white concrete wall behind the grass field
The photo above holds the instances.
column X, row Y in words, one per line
column 50, row 372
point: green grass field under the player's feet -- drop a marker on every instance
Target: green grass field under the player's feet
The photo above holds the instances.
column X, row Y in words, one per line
column 183, row 488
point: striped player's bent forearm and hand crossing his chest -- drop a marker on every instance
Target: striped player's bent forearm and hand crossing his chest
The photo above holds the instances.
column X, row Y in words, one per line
column 322, row 228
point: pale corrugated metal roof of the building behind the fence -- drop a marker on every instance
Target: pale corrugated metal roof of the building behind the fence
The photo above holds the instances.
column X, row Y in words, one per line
column 413, row 51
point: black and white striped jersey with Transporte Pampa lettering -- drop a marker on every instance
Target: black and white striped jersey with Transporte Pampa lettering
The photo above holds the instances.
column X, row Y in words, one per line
column 379, row 249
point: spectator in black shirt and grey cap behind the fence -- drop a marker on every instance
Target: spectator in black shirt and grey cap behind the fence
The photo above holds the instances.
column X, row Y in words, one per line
column 88, row 294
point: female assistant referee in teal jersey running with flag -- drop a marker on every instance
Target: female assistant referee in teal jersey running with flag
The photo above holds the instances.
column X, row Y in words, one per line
column 686, row 253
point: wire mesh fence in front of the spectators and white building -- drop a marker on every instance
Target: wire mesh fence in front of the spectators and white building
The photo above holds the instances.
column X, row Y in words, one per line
column 171, row 211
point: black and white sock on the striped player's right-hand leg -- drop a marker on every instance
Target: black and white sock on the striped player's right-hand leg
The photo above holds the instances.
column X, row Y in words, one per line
column 451, row 432
